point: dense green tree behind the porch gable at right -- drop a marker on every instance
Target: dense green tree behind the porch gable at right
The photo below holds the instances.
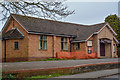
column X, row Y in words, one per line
column 114, row 22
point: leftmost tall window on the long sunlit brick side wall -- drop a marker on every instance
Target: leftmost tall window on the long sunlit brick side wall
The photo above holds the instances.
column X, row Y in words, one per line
column 42, row 42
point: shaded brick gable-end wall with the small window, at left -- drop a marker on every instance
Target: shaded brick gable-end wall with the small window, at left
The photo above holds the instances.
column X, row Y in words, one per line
column 11, row 53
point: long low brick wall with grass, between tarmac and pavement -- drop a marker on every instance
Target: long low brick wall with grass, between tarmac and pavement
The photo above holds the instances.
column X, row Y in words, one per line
column 63, row 70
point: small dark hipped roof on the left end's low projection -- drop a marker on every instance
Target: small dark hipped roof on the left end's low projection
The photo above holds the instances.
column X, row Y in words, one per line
column 13, row 34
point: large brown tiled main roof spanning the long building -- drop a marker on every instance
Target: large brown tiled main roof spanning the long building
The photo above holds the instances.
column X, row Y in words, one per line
column 38, row 25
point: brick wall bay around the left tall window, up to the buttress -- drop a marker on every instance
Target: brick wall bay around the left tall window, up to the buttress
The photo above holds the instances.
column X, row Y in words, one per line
column 34, row 50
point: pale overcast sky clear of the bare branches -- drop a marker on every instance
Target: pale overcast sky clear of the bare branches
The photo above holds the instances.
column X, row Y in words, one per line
column 88, row 13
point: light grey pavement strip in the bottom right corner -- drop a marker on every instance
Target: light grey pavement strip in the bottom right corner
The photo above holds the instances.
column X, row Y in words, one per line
column 95, row 74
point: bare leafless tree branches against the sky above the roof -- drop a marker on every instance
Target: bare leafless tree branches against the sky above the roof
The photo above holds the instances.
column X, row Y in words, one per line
column 47, row 9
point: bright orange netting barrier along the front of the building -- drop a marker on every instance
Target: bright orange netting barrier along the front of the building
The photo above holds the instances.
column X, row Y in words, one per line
column 76, row 55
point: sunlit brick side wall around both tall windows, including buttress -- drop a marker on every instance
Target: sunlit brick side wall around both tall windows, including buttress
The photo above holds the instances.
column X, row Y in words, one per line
column 53, row 46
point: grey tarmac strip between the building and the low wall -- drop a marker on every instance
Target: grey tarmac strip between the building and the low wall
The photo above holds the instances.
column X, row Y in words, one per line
column 14, row 66
